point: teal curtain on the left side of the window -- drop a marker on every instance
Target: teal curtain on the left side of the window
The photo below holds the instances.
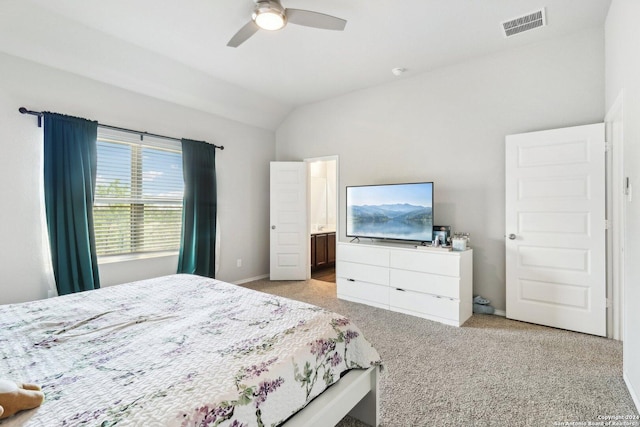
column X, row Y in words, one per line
column 70, row 160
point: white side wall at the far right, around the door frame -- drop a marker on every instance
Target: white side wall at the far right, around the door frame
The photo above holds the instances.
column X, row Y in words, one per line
column 622, row 45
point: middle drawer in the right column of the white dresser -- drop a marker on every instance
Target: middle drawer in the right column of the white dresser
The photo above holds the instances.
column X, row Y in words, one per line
column 446, row 286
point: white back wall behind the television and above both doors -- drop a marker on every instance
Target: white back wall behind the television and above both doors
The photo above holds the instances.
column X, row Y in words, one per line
column 449, row 126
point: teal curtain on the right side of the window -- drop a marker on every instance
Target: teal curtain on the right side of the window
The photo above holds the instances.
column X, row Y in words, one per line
column 198, row 239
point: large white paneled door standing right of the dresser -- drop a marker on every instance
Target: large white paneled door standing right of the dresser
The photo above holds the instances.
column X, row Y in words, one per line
column 555, row 228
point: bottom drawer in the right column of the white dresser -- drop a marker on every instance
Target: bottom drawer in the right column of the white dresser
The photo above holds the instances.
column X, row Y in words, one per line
column 424, row 305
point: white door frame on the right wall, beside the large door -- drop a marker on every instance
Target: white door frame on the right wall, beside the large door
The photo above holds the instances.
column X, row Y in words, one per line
column 616, row 217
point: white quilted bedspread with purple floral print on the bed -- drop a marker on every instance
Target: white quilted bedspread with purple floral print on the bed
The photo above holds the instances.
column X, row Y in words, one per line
column 179, row 350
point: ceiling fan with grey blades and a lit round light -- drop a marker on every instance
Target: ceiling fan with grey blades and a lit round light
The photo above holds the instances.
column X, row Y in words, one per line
column 270, row 15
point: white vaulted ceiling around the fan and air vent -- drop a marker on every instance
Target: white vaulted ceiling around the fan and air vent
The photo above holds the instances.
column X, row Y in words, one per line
column 176, row 50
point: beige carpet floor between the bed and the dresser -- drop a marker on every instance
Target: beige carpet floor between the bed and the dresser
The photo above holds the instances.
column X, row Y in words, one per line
column 490, row 372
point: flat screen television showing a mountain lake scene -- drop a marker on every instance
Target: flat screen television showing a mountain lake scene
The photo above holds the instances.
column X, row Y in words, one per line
column 391, row 211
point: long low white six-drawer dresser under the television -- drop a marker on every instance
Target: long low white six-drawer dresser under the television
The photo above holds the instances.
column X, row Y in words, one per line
column 436, row 285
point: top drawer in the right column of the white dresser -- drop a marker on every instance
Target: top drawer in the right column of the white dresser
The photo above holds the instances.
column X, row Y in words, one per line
column 445, row 264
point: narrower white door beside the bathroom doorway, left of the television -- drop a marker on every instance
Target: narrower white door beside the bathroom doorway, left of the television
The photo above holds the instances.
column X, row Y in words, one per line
column 289, row 240
